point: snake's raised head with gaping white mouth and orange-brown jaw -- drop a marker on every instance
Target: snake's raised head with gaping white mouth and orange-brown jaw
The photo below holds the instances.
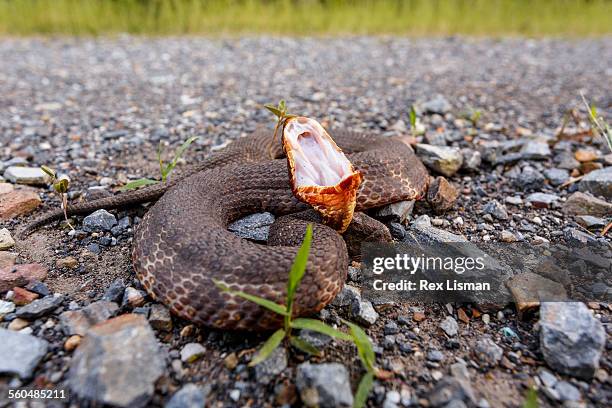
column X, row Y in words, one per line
column 320, row 173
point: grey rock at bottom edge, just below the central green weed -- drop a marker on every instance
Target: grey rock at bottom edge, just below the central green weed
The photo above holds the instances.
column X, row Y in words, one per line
column 324, row 385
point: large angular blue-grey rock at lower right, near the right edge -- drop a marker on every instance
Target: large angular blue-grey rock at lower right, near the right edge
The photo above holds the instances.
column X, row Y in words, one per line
column 571, row 339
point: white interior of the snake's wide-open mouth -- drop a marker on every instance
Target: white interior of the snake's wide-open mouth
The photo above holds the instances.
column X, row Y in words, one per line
column 317, row 162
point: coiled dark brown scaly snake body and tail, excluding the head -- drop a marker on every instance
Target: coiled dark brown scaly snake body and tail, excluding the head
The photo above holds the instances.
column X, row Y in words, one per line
column 182, row 242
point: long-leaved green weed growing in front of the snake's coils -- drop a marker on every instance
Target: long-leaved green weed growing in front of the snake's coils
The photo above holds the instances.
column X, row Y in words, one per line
column 356, row 335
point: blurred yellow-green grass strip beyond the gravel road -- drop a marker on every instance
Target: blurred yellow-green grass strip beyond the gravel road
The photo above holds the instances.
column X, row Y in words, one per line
column 307, row 17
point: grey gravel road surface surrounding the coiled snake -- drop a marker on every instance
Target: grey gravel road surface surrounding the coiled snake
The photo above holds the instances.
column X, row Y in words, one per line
column 96, row 109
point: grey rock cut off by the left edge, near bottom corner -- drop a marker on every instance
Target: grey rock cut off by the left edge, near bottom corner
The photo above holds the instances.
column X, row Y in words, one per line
column 20, row 353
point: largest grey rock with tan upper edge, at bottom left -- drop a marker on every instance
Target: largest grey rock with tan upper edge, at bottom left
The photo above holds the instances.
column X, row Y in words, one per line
column 117, row 363
